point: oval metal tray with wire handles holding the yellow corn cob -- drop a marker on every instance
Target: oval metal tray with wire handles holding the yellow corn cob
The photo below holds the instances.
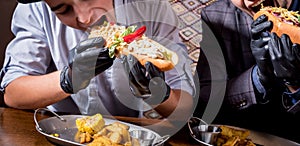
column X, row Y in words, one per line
column 65, row 127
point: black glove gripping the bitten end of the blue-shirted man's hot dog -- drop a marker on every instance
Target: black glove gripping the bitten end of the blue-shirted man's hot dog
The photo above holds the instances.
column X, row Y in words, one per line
column 89, row 59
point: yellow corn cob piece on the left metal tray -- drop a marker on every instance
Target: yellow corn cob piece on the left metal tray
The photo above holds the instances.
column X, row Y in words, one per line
column 90, row 124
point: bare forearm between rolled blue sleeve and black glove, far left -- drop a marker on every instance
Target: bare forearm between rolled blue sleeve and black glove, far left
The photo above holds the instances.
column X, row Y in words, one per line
column 30, row 92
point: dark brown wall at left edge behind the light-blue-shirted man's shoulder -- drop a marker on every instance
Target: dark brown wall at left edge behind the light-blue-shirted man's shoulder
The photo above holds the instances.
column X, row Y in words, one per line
column 6, row 10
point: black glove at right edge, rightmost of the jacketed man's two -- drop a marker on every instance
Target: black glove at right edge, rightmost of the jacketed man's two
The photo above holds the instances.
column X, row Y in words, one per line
column 285, row 58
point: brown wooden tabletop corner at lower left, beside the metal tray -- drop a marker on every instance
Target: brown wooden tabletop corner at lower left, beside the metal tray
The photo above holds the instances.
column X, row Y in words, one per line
column 17, row 128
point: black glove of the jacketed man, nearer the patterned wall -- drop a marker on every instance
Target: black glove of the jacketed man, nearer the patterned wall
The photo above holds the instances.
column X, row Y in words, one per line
column 259, row 47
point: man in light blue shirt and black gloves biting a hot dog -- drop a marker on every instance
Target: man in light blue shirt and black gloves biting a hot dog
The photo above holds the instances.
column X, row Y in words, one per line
column 39, row 70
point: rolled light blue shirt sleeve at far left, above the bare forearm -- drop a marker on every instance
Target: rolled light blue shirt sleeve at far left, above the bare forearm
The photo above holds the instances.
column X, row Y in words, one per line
column 27, row 53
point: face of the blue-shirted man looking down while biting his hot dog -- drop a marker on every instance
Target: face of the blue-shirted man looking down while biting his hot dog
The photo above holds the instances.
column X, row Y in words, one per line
column 81, row 14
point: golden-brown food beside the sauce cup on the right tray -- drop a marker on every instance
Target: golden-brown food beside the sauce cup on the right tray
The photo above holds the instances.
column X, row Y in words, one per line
column 234, row 137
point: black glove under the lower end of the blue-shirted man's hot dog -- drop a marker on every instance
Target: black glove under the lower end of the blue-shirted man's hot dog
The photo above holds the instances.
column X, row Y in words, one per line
column 145, row 81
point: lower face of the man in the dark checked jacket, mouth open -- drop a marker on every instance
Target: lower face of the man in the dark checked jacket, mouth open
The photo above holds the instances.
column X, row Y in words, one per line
column 252, row 6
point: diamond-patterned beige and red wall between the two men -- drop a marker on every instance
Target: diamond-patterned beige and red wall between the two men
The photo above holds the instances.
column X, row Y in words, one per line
column 188, row 12
